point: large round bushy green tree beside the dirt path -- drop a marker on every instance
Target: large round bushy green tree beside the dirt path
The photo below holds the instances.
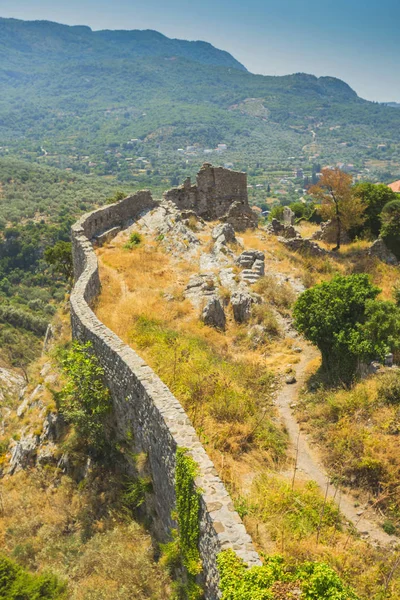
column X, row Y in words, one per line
column 347, row 323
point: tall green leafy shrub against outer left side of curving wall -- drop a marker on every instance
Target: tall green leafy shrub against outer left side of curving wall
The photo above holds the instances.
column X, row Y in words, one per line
column 85, row 401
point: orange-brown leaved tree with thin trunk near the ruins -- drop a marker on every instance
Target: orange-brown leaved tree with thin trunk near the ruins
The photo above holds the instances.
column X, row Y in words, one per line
column 337, row 202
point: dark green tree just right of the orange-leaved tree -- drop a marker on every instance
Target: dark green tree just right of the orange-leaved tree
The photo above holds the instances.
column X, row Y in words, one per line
column 374, row 197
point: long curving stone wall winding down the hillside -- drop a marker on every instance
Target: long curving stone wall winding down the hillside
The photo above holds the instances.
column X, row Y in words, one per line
column 145, row 409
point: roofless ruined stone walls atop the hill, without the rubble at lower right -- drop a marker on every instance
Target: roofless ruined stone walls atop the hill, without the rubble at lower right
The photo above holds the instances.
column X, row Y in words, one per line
column 215, row 191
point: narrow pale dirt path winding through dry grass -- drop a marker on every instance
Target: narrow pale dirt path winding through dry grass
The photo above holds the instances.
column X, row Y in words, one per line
column 309, row 466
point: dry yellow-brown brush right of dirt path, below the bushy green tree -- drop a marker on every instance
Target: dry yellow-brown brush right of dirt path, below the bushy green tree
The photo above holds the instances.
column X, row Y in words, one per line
column 357, row 431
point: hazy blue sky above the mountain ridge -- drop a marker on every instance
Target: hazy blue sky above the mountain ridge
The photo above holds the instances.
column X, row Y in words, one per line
column 355, row 40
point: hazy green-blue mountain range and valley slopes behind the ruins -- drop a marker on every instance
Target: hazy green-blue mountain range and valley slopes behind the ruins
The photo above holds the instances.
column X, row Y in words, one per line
column 70, row 92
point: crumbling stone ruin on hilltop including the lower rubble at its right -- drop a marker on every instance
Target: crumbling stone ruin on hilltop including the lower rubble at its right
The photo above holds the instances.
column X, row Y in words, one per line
column 219, row 193
